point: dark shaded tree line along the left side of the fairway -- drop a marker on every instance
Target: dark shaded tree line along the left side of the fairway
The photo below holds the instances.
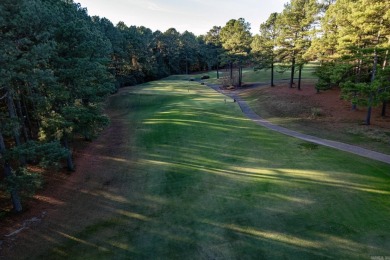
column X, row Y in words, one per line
column 57, row 67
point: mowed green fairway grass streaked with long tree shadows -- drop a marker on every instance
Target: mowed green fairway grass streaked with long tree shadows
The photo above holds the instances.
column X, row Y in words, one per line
column 200, row 181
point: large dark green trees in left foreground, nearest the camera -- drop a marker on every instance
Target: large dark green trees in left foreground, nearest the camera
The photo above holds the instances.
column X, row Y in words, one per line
column 53, row 57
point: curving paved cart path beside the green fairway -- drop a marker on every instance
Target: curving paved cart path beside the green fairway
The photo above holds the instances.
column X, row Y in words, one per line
column 333, row 144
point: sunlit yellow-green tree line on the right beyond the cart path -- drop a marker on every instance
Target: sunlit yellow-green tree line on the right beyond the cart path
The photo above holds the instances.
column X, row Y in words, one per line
column 349, row 39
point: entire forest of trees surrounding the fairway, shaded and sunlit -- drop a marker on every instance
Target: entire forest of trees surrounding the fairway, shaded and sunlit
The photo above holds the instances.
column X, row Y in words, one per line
column 58, row 65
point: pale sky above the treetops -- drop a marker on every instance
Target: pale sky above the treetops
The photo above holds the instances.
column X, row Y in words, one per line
column 196, row 16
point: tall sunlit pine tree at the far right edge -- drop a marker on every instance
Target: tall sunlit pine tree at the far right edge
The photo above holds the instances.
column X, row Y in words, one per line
column 363, row 39
